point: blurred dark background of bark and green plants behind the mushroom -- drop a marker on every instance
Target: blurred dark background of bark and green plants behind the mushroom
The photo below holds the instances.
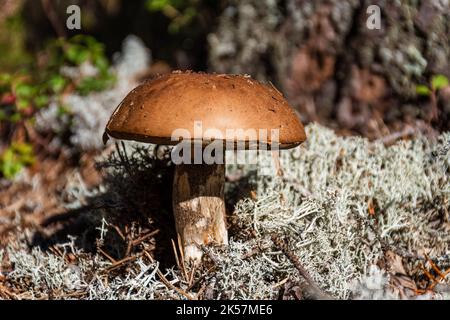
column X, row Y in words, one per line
column 59, row 85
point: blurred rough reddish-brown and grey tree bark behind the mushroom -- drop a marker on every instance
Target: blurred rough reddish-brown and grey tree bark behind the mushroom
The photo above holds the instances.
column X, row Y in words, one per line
column 332, row 66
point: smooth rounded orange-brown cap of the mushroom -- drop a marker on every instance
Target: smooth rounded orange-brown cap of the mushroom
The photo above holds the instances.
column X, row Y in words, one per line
column 231, row 108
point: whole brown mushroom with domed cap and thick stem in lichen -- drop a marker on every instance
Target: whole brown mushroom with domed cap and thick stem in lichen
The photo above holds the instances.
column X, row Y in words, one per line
column 221, row 104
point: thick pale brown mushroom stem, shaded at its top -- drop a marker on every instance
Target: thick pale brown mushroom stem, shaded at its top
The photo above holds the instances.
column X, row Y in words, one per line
column 199, row 207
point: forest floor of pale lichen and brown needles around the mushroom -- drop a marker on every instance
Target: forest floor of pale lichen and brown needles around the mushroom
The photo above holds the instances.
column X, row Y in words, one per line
column 364, row 220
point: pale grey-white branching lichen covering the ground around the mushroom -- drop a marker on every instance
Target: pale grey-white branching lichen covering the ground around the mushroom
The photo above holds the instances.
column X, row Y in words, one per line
column 341, row 203
